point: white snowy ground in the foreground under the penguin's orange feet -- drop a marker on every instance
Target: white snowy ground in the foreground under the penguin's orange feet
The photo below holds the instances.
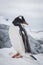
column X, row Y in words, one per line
column 7, row 60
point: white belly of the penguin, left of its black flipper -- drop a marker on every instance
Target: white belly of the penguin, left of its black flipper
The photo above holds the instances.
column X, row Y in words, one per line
column 16, row 39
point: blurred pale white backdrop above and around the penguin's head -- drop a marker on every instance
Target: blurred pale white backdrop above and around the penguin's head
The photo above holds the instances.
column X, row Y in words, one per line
column 32, row 10
